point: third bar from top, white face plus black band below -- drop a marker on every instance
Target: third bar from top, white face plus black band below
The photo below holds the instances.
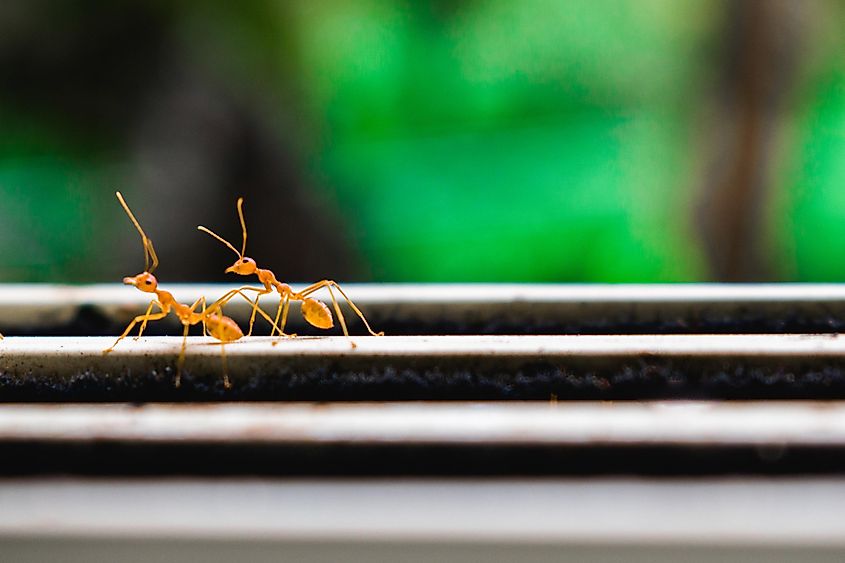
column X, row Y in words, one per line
column 415, row 439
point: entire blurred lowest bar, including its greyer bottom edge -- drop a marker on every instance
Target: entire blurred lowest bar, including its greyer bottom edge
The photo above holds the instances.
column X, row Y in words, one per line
column 698, row 520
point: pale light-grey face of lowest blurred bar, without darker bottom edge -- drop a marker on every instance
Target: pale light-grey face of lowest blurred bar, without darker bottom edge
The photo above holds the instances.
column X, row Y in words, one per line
column 728, row 511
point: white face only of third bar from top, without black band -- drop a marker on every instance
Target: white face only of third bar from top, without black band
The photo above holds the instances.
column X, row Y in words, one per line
column 578, row 424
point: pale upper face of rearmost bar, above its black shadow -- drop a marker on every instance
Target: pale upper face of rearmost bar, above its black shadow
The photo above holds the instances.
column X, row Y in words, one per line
column 29, row 306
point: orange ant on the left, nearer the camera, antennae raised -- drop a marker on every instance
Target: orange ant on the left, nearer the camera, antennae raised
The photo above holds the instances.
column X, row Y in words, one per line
column 214, row 322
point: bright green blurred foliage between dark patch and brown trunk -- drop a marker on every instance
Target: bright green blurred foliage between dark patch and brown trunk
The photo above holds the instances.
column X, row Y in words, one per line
column 510, row 141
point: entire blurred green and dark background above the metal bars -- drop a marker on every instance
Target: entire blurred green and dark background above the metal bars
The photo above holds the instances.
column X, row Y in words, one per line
column 385, row 140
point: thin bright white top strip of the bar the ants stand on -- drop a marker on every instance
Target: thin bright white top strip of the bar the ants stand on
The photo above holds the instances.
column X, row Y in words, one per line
column 780, row 345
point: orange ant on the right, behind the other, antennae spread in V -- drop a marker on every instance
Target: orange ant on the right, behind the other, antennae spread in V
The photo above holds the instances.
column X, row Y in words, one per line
column 314, row 311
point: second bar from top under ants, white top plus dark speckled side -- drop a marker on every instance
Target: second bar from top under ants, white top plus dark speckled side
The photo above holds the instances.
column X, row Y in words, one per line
column 427, row 367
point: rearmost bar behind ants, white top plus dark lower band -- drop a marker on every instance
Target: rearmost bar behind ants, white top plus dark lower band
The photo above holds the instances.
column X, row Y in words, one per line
column 468, row 308
